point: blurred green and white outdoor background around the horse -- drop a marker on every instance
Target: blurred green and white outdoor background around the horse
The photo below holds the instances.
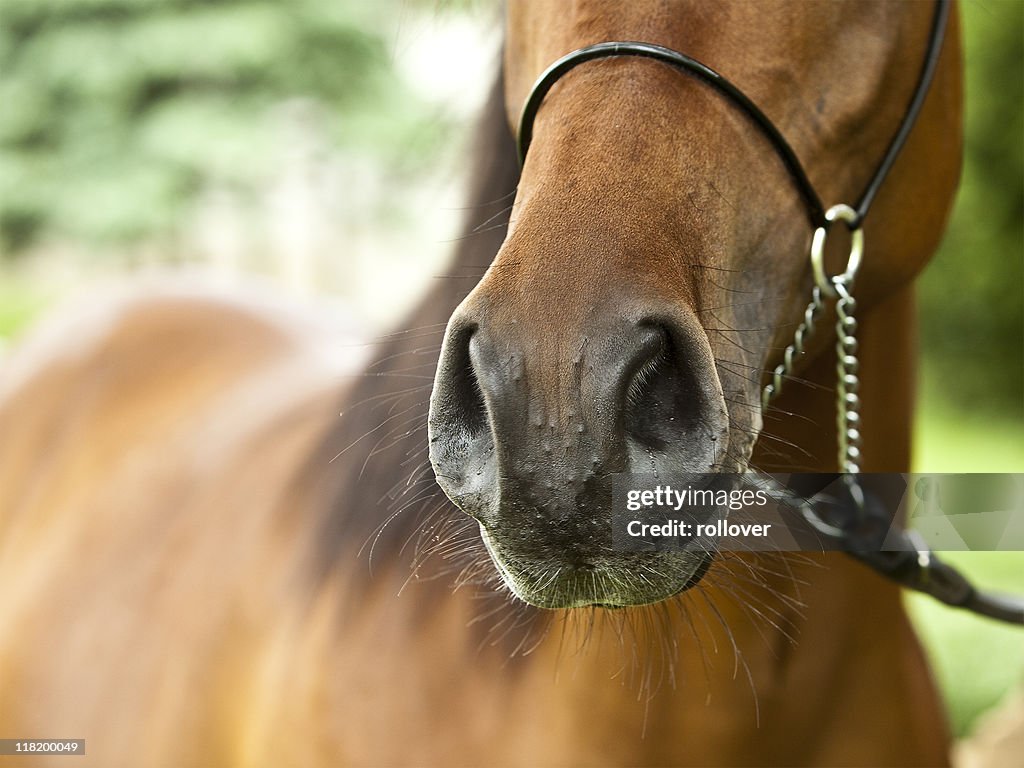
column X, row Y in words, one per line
column 316, row 147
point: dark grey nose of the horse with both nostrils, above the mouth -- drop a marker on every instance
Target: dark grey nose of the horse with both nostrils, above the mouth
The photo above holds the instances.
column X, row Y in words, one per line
column 539, row 421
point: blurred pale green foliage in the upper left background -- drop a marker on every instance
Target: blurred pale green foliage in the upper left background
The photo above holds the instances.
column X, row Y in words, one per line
column 115, row 112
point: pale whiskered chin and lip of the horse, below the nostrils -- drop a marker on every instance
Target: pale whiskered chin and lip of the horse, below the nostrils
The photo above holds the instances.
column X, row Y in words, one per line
column 616, row 581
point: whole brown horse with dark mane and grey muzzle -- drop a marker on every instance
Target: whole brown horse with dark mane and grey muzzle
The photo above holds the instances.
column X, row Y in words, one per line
column 180, row 558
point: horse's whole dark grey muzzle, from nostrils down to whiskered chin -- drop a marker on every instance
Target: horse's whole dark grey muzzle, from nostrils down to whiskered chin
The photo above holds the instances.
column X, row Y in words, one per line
column 530, row 424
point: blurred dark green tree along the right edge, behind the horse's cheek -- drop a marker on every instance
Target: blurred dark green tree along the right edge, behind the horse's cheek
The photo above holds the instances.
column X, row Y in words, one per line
column 973, row 293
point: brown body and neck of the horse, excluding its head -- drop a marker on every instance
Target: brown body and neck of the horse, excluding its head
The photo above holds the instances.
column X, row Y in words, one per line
column 181, row 581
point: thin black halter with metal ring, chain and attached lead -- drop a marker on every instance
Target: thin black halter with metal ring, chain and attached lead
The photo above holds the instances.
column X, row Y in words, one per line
column 913, row 565
